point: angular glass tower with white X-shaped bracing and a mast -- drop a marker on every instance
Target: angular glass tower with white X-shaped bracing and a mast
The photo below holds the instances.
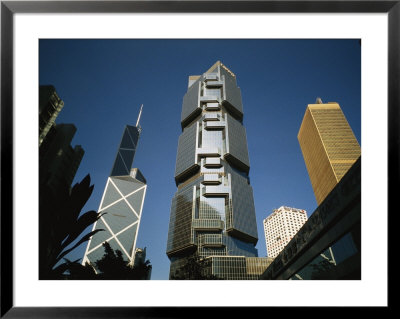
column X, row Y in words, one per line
column 122, row 203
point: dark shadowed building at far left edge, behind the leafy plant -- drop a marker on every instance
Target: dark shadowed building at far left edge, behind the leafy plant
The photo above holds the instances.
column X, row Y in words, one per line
column 58, row 164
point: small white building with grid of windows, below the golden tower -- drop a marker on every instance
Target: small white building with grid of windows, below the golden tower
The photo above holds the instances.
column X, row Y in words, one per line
column 281, row 226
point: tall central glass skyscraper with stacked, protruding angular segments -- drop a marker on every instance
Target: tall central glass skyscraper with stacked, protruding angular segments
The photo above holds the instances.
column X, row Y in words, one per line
column 212, row 213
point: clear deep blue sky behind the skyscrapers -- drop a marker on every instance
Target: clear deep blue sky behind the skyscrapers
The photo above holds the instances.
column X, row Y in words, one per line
column 104, row 82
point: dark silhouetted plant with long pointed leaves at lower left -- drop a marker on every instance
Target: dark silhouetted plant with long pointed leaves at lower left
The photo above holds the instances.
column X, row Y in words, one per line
column 60, row 225
